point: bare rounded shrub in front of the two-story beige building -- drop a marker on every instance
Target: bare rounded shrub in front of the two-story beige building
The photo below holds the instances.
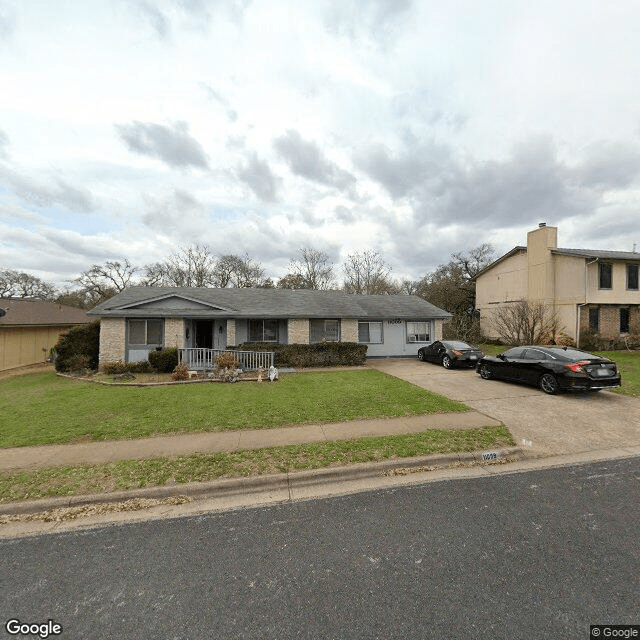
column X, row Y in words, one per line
column 527, row 322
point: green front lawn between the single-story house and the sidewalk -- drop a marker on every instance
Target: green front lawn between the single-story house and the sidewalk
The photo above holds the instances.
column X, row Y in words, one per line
column 44, row 408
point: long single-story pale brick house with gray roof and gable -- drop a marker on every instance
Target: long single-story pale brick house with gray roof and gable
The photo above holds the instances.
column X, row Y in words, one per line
column 141, row 319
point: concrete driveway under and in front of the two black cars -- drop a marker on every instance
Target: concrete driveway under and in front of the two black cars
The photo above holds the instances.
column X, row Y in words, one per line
column 545, row 425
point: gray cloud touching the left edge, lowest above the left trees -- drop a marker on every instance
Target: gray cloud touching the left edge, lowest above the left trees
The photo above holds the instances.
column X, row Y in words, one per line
column 56, row 192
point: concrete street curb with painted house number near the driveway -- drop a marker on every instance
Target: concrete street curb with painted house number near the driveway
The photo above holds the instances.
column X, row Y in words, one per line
column 268, row 483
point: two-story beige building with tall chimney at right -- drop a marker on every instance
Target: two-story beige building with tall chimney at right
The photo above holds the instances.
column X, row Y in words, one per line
column 590, row 290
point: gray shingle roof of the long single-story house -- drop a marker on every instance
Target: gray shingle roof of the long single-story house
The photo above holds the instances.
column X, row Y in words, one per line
column 266, row 303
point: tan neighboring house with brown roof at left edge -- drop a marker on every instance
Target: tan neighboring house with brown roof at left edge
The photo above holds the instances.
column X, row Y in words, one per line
column 29, row 328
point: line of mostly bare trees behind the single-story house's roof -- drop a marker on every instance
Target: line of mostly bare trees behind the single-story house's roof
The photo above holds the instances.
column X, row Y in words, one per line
column 450, row 286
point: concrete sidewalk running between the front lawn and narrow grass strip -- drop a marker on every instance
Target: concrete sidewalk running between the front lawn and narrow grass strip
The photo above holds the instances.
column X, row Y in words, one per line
column 22, row 458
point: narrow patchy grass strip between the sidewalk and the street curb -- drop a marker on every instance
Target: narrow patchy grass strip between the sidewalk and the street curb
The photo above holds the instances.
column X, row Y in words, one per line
column 134, row 474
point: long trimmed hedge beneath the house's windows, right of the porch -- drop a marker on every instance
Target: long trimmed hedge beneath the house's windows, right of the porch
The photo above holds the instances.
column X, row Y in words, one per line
column 322, row 354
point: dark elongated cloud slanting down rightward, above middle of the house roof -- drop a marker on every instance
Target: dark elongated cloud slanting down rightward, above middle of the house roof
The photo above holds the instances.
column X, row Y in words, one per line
column 305, row 159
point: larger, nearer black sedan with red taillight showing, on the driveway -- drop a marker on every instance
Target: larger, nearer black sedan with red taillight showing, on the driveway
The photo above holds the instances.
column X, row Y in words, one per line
column 552, row 369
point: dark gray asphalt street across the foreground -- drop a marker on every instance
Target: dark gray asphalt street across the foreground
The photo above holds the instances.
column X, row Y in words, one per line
column 538, row 554
